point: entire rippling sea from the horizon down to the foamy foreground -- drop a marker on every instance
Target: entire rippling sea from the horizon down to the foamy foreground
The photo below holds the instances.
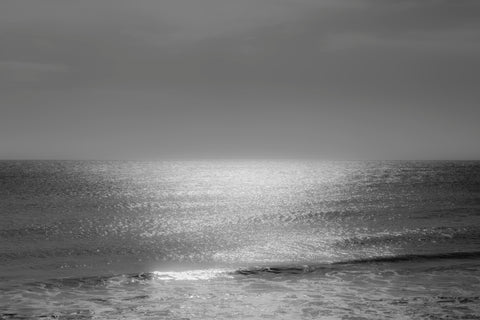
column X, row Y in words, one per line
column 239, row 240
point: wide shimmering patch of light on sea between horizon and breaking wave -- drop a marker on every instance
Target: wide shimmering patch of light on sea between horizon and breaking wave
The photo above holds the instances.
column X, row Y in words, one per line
column 245, row 212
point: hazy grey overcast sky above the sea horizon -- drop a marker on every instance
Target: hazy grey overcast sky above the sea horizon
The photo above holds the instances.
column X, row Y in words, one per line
column 156, row 79
